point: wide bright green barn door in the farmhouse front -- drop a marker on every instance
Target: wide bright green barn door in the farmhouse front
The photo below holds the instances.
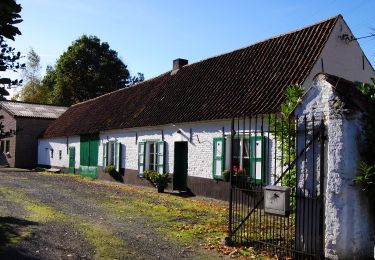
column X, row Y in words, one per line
column 89, row 145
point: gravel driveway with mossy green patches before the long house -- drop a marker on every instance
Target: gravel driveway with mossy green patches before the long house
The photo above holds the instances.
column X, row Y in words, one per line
column 46, row 216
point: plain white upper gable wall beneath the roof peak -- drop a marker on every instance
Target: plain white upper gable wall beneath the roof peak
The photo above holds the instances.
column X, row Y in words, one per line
column 342, row 59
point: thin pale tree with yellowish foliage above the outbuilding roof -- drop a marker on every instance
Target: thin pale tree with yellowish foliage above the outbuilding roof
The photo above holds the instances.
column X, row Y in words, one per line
column 33, row 90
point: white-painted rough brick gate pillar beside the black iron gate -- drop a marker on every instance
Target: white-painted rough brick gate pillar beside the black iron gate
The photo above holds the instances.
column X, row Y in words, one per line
column 348, row 228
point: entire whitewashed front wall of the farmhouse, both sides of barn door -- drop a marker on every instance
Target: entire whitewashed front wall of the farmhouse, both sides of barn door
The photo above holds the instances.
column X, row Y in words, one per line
column 200, row 150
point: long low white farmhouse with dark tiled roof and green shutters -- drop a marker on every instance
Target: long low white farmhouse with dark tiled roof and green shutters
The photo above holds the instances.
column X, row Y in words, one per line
column 179, row 122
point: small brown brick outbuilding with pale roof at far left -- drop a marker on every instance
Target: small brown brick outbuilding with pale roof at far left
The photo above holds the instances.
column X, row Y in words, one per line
column 26, row 122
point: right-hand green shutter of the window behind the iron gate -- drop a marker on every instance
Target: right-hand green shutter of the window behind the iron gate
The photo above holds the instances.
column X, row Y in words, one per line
column 257, row 159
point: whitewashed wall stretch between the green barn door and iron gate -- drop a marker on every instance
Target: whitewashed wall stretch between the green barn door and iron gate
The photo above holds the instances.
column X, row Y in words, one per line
column 200, row 150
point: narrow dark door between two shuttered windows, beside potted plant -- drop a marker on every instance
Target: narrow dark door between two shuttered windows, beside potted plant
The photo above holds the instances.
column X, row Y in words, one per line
column 180, row 165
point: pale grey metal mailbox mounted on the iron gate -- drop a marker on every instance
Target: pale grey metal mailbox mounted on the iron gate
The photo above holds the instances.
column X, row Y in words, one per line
column 276, row 200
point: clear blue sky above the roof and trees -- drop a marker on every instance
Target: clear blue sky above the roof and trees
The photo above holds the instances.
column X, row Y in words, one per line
column 148, row 35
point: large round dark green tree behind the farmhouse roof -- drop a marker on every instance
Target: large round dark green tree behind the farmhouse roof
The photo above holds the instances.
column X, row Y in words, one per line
column 89, row 68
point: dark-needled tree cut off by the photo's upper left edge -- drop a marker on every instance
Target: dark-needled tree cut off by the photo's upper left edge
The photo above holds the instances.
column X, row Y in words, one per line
column 9, row 58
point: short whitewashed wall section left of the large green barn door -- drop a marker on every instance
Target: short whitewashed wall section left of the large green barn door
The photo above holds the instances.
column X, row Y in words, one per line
column 57, row 144
